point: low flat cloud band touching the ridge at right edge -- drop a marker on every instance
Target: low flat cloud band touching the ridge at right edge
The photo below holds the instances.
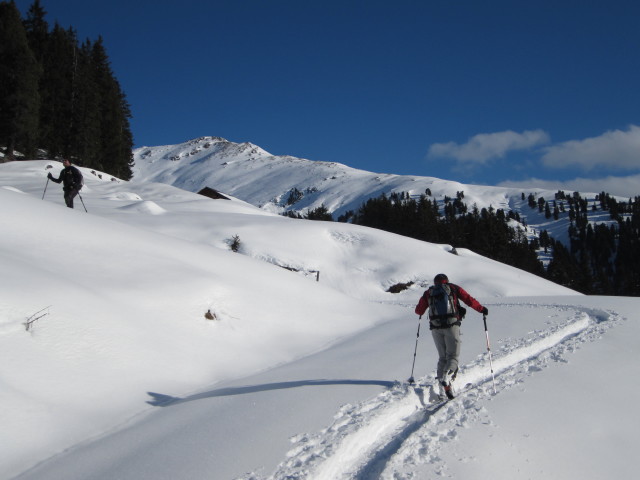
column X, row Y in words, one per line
column 619, row 186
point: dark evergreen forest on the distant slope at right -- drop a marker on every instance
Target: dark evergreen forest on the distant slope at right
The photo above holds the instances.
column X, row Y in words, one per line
column 600, row 259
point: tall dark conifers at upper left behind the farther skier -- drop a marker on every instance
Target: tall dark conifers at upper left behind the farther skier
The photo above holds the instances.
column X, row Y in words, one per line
column 59, row 95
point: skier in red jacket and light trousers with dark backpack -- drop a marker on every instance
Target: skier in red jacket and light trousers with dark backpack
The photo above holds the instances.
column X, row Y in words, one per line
column 445, row 318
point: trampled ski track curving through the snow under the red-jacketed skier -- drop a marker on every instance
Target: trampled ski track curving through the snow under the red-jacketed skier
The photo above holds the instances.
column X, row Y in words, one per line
column 387, row 436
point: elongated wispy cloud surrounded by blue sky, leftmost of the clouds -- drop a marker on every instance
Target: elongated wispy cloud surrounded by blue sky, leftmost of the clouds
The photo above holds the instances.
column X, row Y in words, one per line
column 487, row 146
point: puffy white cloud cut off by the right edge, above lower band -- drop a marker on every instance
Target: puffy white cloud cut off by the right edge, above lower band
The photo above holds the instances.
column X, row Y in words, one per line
column 612, row 149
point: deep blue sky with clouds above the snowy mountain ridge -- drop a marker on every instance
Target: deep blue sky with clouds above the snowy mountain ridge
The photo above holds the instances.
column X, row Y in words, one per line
column 486, row 92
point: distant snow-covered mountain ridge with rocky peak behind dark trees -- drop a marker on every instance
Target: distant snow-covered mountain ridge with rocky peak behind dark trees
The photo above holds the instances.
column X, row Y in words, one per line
column 252, row 174
